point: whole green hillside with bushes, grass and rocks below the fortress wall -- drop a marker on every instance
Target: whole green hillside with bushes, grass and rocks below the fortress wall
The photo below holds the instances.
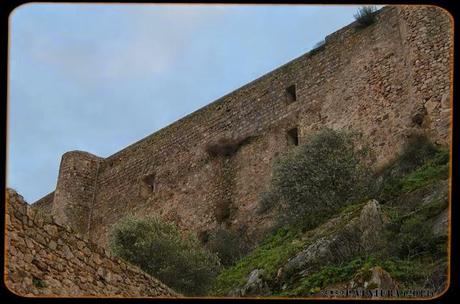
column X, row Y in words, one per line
column 338, row 223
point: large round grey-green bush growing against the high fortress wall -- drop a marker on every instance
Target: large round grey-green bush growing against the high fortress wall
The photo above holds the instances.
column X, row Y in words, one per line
column 328, row 172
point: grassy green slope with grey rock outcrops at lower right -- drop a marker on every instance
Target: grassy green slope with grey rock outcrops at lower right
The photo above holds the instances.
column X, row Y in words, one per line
column 396, row 240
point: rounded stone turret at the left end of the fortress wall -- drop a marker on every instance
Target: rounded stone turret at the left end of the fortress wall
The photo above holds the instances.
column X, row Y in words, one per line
column 75, row 189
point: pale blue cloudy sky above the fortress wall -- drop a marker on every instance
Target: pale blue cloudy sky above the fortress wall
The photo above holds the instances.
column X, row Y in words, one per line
column 98, row 78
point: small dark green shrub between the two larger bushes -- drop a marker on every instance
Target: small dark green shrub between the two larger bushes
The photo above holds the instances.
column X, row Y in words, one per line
column 228, row 245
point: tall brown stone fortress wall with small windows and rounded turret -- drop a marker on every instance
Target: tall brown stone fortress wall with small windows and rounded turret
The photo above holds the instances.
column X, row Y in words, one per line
column 386, row 81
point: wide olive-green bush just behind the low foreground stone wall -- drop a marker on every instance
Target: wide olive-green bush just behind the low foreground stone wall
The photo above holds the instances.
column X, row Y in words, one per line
column 161, row 250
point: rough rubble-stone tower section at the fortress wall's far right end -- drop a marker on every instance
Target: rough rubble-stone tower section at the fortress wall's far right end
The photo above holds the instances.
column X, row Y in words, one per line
column 430, row 51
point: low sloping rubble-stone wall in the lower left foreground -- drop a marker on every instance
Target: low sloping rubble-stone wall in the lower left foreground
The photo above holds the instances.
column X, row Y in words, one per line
column 44, row 258
